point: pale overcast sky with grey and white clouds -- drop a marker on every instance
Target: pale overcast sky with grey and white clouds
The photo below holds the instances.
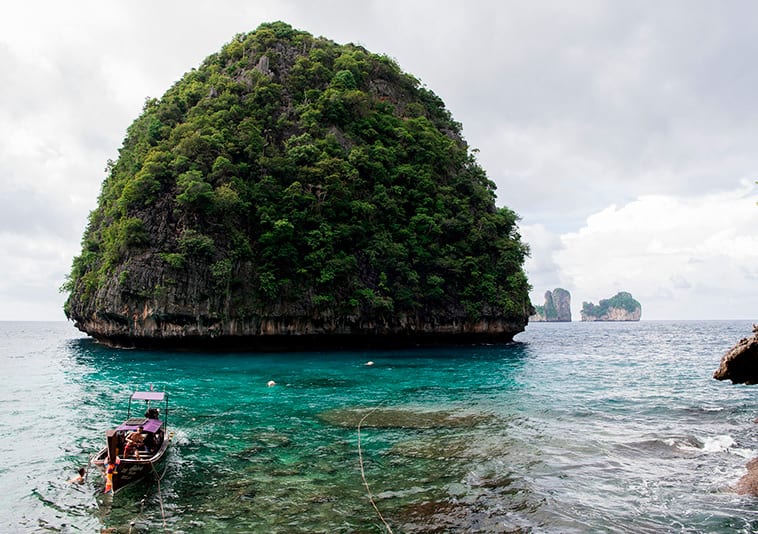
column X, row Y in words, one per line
column 625, row 134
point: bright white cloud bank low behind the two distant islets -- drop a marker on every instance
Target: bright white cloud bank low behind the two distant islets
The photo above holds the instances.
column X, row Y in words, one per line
column 681, row 257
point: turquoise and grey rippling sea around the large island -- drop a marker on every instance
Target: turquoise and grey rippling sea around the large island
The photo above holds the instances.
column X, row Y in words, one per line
column 573, row 427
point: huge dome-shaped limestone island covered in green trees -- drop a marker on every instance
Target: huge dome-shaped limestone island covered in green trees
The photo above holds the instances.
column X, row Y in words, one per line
column 294, row 193
